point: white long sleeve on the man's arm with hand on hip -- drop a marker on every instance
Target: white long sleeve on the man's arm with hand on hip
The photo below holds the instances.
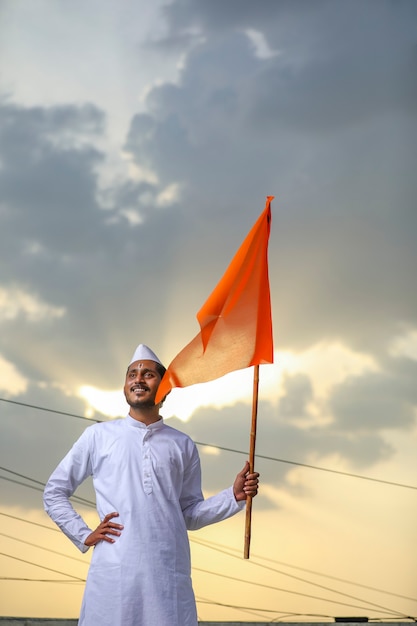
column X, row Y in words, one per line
column 69, row 474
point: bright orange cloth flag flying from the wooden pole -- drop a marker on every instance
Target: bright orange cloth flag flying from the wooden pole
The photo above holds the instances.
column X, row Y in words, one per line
column 235, row 321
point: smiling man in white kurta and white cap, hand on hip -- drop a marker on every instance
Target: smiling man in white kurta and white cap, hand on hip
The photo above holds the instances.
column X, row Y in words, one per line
column 147, row 479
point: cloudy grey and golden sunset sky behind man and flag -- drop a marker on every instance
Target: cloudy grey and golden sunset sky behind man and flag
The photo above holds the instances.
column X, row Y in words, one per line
column 138, row 142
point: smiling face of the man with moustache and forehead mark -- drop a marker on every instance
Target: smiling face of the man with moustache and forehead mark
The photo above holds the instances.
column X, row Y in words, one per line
column 142, row 382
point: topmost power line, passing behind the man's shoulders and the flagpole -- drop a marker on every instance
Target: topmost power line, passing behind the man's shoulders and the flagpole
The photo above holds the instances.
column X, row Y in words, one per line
column 212, row 445
